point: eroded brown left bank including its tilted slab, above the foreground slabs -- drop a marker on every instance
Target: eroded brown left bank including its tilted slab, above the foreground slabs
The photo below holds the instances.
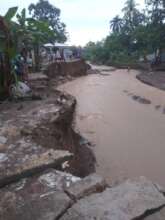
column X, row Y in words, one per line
column 37, row 127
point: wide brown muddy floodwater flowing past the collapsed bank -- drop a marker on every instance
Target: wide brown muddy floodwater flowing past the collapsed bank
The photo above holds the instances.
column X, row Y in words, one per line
column 129, row 137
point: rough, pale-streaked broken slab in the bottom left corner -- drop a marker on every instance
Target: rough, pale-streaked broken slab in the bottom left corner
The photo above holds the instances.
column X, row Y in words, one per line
column 37, row 198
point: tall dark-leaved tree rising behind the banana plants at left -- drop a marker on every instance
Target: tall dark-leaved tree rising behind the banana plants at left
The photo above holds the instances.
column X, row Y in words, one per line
column 45, row 12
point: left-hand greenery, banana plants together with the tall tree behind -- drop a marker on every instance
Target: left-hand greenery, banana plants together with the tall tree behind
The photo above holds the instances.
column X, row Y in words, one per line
column 28, row 34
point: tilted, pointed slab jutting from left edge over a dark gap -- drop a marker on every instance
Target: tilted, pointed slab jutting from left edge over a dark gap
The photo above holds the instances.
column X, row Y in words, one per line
column 27, row 158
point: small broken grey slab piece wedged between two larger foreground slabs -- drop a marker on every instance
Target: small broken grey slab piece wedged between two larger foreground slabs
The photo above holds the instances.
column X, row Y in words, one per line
column 90, row 184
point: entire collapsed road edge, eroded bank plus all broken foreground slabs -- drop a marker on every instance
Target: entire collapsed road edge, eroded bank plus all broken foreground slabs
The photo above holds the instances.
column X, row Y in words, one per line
column 47, row 170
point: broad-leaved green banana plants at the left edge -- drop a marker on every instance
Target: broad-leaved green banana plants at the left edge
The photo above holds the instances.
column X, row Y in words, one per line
column 26, row 31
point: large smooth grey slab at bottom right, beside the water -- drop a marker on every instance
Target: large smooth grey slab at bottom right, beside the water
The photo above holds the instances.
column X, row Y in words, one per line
column 127, row 201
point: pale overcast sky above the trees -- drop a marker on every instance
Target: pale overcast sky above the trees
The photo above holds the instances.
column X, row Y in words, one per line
column 86, row 20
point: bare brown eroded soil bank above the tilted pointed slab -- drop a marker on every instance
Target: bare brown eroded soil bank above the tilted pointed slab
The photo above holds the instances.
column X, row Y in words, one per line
column 54, row 131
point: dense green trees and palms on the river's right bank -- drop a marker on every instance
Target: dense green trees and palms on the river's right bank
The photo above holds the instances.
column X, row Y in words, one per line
column 134, row 35
